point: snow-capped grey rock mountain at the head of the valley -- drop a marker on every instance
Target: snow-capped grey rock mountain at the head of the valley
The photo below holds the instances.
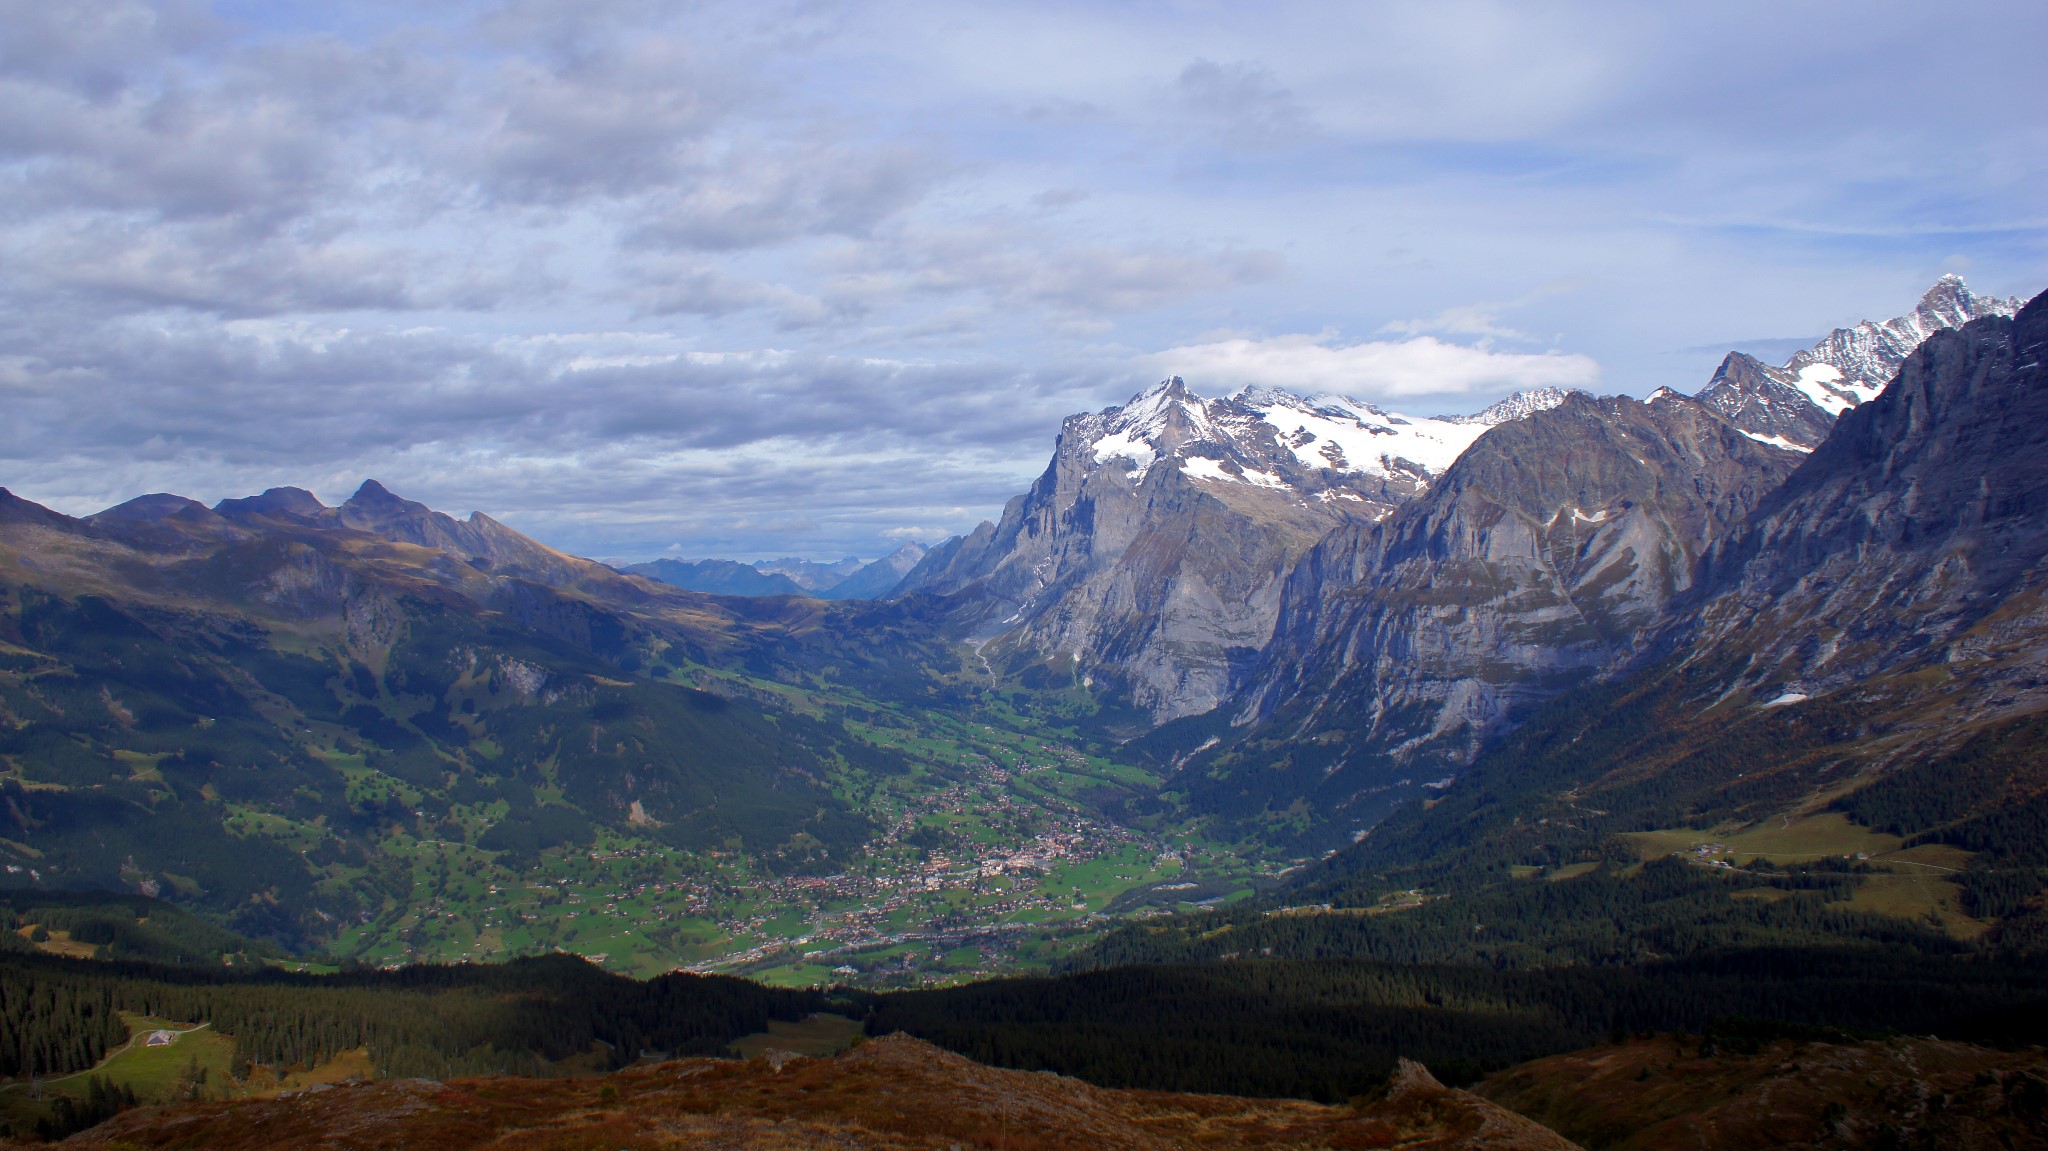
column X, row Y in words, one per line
column 1150, row 558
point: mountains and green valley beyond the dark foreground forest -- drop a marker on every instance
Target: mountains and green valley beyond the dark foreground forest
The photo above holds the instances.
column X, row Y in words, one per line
column 1238, row 630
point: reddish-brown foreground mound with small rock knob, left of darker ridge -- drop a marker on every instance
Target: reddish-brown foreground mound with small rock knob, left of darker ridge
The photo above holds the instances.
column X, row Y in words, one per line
column 890, row 1095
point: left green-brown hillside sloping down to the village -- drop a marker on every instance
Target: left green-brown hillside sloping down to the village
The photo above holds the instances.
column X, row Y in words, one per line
column 394, row 734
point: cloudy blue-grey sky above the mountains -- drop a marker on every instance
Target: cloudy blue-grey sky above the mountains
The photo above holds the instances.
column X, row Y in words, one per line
column 746, row 280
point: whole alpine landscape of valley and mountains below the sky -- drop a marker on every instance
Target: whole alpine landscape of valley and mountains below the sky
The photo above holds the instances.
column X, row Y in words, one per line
column 1265, row 742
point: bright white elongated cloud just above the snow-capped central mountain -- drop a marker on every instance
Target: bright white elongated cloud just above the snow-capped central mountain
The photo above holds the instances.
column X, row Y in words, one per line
column 1375, row 370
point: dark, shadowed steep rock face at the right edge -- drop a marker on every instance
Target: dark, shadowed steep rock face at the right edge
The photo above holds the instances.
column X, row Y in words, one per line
column 1918, row 534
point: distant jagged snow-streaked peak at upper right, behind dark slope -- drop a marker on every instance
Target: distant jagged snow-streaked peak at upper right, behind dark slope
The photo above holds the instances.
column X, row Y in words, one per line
column 1799, row 402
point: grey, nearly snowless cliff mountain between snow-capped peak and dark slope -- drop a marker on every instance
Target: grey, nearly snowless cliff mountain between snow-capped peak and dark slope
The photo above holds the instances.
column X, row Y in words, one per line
column 1535, row 564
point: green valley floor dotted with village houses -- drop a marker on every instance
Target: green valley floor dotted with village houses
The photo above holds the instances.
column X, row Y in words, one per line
column 990, row 857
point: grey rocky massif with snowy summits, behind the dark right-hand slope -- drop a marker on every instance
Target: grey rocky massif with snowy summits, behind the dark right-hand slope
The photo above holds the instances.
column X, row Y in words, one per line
column 1340, row 605
